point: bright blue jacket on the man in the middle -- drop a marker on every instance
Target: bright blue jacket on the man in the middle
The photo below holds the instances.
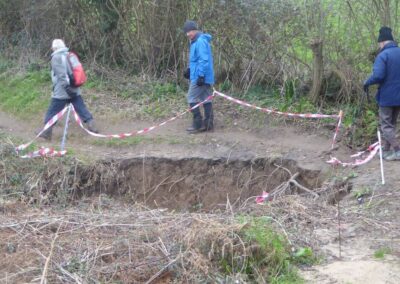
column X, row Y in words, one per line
column 201, row 62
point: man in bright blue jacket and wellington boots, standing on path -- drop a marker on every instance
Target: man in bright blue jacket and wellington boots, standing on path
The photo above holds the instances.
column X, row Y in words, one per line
column 201, row 76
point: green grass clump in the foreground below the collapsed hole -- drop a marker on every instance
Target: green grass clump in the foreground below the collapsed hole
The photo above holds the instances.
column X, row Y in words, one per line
column 272, row 259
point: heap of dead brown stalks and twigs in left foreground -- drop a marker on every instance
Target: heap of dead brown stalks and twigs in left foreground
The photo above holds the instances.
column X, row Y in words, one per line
column 130, row 244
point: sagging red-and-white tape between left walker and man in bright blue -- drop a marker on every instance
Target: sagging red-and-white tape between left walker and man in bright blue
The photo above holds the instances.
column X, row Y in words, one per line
column 143, row 131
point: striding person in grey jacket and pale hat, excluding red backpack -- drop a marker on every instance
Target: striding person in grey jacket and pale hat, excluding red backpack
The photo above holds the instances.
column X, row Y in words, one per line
column 63, row 92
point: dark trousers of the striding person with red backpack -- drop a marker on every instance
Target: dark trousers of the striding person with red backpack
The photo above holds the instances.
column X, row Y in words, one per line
column 56, row 105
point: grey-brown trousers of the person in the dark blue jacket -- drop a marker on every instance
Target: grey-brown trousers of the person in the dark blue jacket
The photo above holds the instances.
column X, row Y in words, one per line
column 388, row 120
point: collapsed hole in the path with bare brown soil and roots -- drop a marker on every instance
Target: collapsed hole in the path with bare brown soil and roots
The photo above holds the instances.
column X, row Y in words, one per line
column 196, row 184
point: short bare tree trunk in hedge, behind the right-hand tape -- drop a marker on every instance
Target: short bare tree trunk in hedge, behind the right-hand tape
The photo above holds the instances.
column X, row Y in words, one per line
column 318, row 70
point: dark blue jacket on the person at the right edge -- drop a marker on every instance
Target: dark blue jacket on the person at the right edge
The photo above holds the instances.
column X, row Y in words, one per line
column 386, row 73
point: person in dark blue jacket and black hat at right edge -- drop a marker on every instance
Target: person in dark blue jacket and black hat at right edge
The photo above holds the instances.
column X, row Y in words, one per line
column 386, row 73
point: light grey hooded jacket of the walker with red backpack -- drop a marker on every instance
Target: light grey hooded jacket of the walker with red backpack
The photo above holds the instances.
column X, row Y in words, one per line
column 59, row 76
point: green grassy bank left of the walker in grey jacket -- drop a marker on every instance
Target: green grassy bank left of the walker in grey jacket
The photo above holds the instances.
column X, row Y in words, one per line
column 25, row 95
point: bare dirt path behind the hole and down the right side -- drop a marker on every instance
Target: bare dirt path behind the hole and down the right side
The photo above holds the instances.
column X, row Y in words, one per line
column 360, row 237
